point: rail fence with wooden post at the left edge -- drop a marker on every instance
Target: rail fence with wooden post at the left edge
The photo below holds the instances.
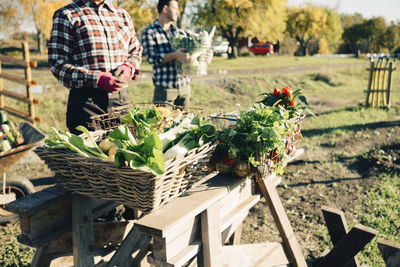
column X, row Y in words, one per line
column 27, row 98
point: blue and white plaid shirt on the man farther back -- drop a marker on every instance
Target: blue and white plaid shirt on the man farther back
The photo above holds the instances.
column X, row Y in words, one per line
column 156, row 43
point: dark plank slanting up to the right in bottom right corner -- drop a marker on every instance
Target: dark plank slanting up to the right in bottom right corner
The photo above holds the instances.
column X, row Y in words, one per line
column 348, row 247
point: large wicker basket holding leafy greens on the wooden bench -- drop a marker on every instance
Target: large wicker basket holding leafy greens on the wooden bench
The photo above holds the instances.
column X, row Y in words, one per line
column 97, row 178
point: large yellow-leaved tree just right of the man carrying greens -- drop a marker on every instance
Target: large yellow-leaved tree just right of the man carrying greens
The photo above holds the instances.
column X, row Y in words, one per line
column 234, row 19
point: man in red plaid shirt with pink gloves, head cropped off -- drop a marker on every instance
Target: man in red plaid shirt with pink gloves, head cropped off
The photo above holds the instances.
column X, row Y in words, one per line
column 94, row 52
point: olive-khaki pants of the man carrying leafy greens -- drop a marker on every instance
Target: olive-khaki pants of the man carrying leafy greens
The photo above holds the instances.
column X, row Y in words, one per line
column 175, row 96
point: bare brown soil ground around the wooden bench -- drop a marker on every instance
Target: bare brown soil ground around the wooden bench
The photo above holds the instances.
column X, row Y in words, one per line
column 332, row 173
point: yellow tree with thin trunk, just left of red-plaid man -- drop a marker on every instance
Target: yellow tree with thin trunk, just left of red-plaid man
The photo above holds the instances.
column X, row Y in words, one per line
column 41, row 12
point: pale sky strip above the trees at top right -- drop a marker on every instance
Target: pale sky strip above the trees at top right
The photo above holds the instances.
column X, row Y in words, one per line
column 389, row 9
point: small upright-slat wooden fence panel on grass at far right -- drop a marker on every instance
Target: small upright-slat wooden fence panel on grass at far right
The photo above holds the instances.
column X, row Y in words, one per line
column 380, row 82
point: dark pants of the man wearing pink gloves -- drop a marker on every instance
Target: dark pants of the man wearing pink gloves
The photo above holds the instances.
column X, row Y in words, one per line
column 86, row 102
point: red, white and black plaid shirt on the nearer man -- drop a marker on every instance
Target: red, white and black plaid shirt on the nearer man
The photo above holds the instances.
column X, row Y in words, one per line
column 87, row 39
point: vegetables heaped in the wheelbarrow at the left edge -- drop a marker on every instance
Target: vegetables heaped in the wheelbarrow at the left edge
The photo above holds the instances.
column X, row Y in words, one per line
column 10, row 136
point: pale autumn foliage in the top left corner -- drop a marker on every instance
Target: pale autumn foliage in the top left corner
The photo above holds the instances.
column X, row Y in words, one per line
column 9, row 13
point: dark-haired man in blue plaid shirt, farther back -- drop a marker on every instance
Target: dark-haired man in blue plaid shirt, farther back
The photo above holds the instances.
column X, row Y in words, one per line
column 170, row 86
